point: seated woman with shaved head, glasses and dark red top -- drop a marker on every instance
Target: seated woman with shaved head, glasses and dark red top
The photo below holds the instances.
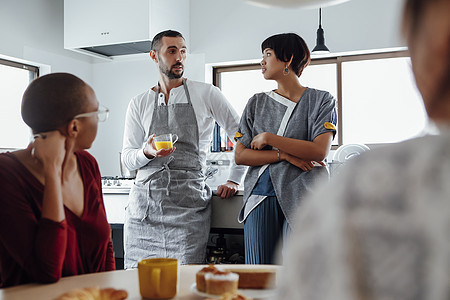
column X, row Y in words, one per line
column 52, row 217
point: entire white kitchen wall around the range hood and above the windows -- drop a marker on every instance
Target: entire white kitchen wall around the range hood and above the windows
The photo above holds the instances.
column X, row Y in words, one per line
column 220, row 31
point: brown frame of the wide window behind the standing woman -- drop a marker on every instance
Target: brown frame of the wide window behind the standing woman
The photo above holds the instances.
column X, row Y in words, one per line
column 337, row 59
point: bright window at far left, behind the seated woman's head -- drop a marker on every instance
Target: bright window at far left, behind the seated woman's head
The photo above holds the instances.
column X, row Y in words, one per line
column 14, row 79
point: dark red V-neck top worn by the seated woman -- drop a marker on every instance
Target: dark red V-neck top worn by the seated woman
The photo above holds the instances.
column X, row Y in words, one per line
column 35, row 249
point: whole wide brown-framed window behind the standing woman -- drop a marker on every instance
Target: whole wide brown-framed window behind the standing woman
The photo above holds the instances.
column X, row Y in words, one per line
column 378, row 102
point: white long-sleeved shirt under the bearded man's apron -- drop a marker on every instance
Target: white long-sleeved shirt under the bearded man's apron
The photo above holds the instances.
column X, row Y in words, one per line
column 209, row 105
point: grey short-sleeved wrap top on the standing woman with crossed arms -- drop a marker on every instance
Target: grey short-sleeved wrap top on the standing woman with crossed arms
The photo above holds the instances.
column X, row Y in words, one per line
column 304, row 120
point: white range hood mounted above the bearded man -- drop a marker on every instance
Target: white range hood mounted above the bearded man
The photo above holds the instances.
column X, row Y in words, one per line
column 110, row 29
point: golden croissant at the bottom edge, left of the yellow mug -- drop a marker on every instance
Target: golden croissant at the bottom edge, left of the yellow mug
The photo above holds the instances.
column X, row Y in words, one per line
column 94, row 293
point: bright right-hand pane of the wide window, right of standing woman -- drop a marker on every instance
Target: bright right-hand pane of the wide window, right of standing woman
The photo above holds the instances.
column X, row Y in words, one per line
column 380, row 103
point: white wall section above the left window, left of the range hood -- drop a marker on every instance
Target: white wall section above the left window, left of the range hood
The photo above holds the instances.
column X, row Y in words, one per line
column 33, row 31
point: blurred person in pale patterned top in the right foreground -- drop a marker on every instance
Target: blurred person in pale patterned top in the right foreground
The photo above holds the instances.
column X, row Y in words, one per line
column 381, row 229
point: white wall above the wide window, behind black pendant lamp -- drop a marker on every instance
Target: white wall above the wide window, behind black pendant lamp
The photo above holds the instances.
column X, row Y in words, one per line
column 233, row 30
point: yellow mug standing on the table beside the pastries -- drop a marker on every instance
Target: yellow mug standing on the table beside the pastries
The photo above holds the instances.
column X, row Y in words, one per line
column 158, row 278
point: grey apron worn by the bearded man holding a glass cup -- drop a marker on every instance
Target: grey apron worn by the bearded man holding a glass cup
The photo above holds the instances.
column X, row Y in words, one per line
column 168, row 213
